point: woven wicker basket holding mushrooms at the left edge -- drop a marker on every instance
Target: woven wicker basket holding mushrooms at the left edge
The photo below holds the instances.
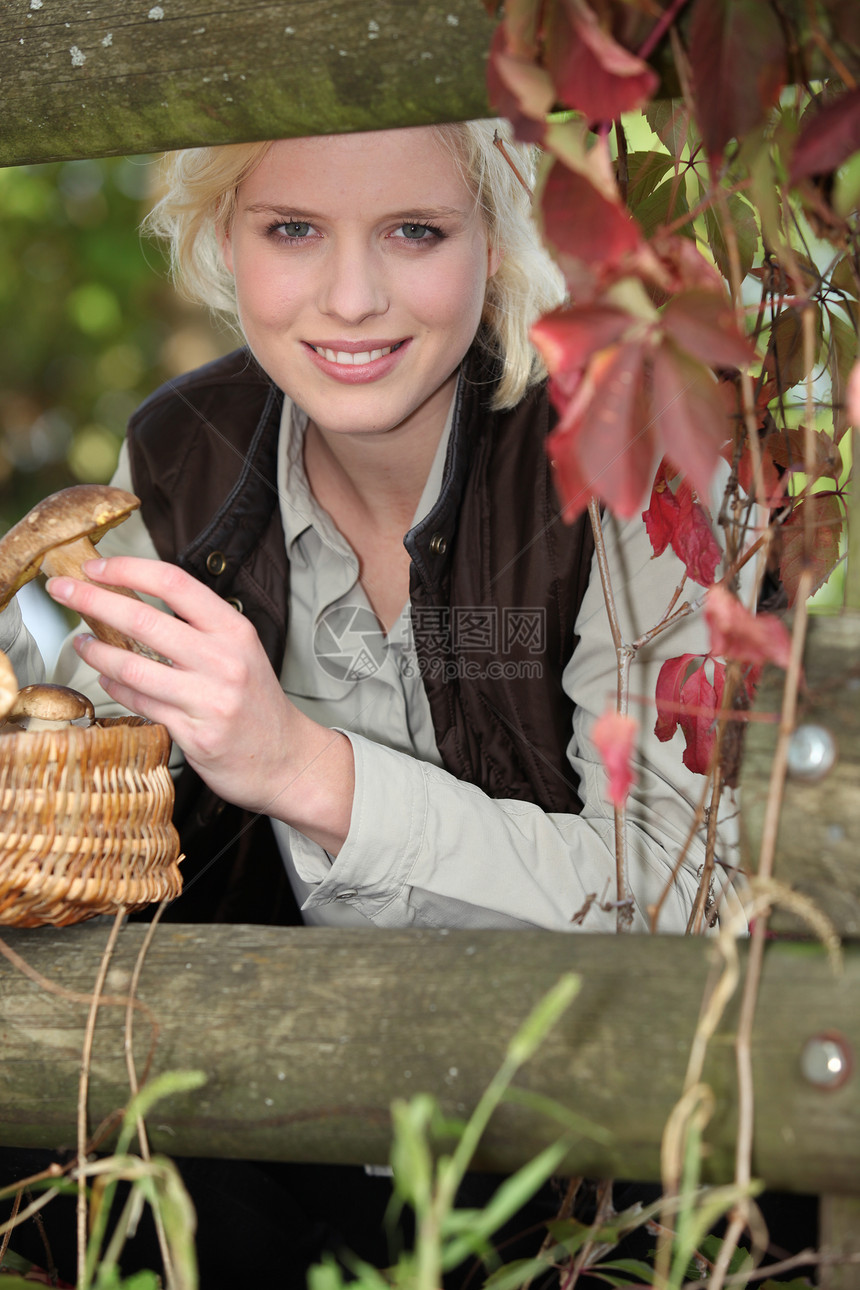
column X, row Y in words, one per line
column 86, row 822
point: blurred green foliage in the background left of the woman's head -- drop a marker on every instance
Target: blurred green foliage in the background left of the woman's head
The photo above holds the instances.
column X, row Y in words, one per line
column 90, row 326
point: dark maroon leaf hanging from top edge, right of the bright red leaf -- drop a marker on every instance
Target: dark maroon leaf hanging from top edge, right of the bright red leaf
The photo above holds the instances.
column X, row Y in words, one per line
column 738, row 60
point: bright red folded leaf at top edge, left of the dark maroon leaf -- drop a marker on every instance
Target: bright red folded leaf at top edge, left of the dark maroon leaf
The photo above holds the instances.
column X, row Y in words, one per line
column 592, row 73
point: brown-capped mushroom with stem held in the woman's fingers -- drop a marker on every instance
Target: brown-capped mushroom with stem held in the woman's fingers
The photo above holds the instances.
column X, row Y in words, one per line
column 59, row 536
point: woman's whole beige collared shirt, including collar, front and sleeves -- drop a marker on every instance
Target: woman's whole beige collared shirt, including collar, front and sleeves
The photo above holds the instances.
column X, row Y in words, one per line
column 424, row 848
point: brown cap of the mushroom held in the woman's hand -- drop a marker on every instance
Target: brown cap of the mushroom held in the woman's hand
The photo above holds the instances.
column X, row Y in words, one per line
column 84, row 510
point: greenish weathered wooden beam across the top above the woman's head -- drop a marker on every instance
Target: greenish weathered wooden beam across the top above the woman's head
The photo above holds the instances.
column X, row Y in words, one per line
column 104, row 78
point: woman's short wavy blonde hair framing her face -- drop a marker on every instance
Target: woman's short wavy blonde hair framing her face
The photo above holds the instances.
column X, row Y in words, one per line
column 199, row 203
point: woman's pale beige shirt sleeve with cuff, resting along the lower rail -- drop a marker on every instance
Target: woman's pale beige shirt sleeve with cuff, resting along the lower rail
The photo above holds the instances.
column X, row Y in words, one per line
column 426, row 849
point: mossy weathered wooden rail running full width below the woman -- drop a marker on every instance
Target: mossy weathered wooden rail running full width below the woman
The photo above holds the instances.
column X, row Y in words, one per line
column 308, row 1035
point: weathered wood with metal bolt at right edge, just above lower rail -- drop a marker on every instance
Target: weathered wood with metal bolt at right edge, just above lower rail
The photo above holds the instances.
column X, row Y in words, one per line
column 819, row 828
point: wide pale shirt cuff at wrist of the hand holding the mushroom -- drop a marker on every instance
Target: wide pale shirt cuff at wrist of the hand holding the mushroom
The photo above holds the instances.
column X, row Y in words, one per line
column 387, row 831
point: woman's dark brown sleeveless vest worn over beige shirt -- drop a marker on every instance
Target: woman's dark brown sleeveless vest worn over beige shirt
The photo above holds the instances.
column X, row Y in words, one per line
column 496, row 585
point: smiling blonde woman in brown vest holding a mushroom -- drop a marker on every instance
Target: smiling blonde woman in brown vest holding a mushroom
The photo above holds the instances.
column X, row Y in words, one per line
column 412, row 748
